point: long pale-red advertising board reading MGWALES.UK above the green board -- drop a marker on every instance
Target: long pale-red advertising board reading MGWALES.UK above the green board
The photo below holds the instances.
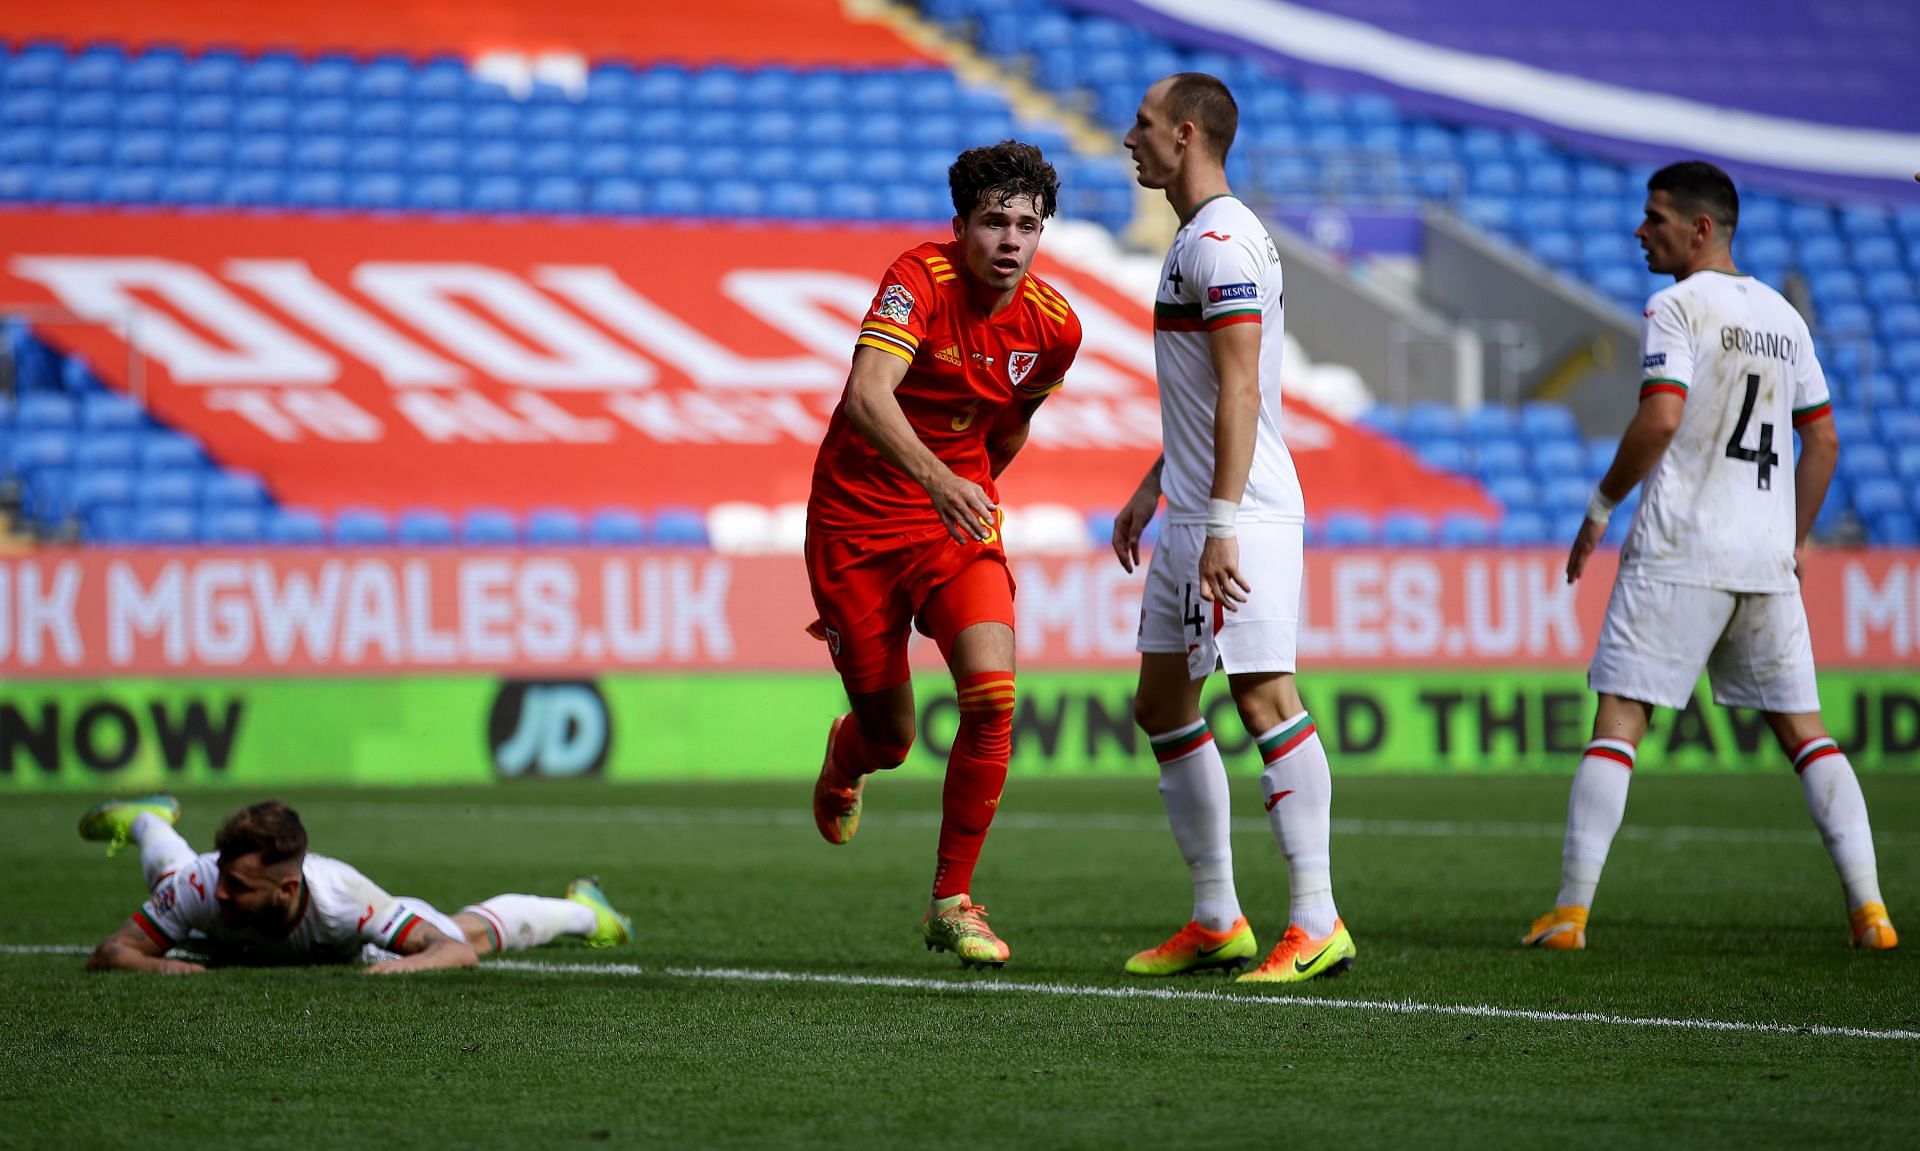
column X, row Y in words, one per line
column 105, row 614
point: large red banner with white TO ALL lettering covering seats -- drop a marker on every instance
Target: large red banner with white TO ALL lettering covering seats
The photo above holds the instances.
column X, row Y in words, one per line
column 456, row 364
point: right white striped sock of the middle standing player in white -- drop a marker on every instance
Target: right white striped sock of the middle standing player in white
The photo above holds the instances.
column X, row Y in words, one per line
column 1297, row 789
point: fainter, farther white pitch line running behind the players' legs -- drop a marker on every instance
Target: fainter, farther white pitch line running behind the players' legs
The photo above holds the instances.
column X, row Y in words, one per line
column 1397, row 829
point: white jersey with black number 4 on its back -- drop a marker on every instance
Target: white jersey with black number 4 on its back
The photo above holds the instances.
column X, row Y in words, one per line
column 1717, row 510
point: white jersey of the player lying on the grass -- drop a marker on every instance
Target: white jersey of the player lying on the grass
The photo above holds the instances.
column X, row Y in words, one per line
column 341, row 912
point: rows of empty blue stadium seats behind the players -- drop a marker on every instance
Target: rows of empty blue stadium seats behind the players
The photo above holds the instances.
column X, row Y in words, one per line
column 385, row 134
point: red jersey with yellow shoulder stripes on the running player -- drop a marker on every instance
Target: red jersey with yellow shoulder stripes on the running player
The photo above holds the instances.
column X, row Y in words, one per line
column 965, row 374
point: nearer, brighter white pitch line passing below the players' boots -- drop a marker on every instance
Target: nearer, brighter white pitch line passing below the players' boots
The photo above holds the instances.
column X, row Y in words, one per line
column 1161, row 994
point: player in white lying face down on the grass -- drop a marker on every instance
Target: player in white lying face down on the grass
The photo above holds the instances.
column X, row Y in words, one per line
column 262, row 900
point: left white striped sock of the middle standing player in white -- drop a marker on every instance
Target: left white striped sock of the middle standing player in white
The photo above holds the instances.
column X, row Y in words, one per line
column 1193, row 785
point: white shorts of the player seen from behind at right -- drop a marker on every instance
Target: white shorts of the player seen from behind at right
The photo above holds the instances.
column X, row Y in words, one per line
column 1754, row 647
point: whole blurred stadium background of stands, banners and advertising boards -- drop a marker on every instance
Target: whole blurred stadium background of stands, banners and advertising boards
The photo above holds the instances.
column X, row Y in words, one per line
column 425, row 393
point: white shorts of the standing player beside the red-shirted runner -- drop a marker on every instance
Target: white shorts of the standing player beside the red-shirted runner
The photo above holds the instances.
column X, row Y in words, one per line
column 1257, row 639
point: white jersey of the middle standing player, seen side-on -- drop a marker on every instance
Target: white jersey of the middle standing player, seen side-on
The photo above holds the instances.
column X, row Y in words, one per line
column 1220, row 270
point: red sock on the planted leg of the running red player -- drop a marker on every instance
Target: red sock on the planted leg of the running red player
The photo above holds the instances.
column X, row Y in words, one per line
column 976, row 773
